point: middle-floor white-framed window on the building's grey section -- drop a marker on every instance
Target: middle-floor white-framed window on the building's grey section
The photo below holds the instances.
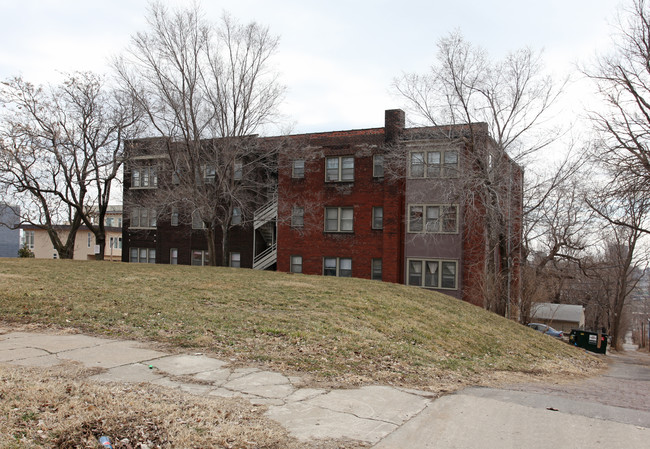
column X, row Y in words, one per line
column 433, row 218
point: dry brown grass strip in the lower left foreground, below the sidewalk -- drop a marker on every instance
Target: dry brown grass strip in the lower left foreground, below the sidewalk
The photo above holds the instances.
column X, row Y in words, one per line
column 58, row 408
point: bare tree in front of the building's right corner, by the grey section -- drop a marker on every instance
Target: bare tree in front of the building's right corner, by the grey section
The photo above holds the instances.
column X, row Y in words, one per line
column 511, row 98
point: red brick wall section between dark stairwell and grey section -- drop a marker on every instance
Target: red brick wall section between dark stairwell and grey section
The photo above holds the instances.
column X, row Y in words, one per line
column 314, row 194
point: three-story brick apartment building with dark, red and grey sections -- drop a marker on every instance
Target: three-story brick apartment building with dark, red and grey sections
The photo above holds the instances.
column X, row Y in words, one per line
column 380, row 203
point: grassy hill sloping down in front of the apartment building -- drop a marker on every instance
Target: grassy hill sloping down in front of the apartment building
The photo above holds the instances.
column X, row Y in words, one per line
column 337, row 330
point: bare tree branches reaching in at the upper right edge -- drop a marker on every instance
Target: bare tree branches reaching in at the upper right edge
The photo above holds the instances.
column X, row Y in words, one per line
column 622, row 78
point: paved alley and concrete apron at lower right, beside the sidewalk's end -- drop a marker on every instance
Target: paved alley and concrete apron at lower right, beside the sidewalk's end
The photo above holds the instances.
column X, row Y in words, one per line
column 609, row 411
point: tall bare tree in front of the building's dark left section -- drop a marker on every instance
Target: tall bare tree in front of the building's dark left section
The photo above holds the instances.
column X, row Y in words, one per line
column 207, row 88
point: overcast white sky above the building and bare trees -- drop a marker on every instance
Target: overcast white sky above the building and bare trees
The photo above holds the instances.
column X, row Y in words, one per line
column 337, row 58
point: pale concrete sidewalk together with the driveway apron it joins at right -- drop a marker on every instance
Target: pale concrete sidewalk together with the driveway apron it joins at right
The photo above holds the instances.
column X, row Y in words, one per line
column 386, row 417
